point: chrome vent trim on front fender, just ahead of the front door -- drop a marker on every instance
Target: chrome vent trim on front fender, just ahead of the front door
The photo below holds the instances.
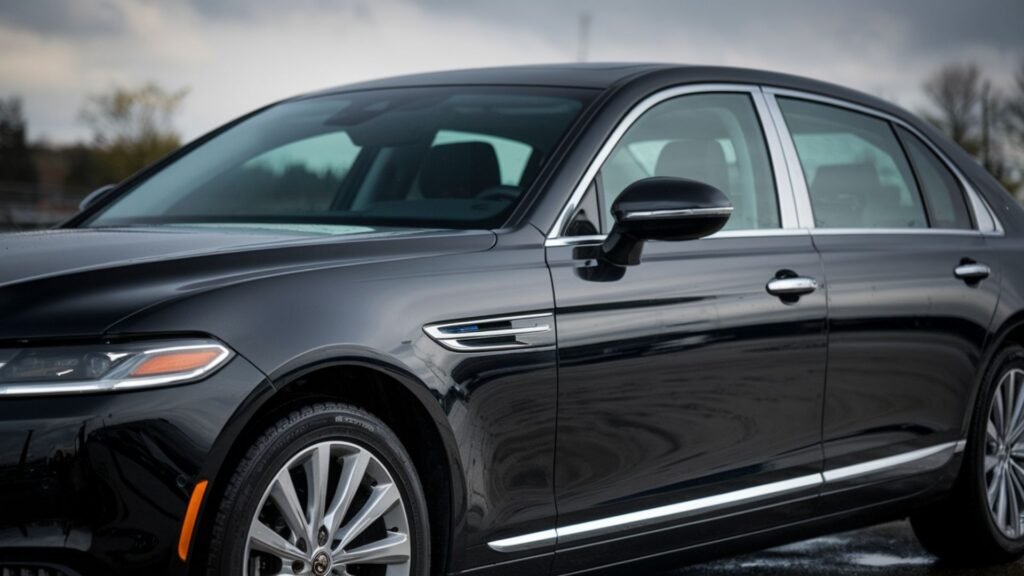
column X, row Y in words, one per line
column 485, row 335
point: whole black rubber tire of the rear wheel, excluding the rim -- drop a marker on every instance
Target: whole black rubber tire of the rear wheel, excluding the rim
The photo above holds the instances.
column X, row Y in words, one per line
column 961, row 529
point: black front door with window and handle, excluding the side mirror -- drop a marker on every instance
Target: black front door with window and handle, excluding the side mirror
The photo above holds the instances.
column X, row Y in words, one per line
column 688, row 391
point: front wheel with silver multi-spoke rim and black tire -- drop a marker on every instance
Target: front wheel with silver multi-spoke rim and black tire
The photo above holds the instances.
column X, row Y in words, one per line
column 328, row 490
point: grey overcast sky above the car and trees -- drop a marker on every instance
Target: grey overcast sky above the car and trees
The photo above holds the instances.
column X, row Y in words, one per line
column 235, row 56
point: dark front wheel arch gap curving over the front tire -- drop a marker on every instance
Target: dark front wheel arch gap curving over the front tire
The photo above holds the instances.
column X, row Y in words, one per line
column 395, row 394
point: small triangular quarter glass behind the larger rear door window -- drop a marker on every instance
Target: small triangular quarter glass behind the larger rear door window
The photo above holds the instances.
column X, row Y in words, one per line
column 944, row 195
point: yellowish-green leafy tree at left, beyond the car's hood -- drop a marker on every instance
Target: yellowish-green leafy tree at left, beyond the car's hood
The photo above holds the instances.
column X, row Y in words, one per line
column 132, row 129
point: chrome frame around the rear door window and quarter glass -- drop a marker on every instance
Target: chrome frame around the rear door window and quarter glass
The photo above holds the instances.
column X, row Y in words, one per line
column 985, row 218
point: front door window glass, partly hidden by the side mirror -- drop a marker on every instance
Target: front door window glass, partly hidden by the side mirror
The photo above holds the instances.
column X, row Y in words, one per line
column 714, row 139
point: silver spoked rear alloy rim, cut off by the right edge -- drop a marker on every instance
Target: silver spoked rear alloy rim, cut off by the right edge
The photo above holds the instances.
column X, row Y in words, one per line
column 1005, row 456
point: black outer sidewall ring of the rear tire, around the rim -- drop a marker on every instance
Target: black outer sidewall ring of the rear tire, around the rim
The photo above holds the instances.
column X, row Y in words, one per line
column 1009, row 358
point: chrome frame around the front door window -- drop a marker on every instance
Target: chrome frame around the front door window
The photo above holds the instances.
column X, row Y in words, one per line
column 773, row 140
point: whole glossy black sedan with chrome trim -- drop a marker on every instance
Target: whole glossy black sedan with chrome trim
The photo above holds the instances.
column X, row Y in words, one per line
column 527, row 321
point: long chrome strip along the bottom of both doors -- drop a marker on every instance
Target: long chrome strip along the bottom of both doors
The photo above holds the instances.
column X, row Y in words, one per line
column 612, row 525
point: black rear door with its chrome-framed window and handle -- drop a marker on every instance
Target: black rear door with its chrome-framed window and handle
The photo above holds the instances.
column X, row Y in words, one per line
column 911, row 297
